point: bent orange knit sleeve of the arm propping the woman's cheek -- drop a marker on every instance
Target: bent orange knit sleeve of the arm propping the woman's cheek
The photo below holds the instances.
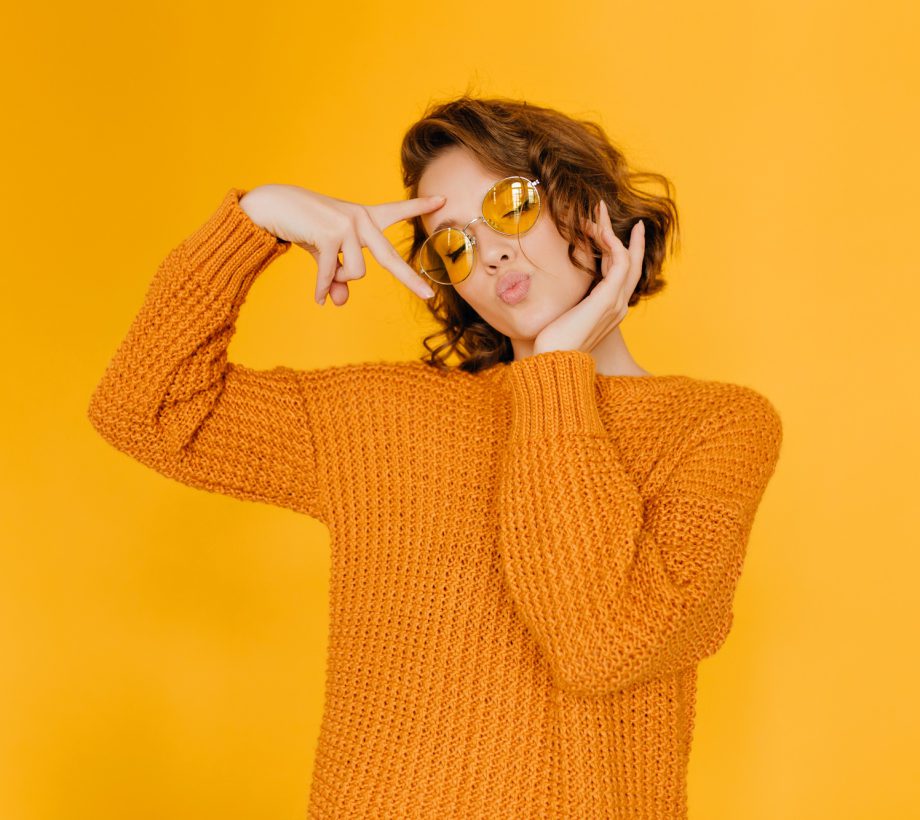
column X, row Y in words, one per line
column 617, row 588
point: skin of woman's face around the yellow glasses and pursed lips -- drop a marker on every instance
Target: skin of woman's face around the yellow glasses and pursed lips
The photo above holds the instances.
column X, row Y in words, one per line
column 556, row 285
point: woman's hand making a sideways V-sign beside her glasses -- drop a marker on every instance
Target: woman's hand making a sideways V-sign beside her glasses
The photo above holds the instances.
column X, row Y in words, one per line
column 326, row 226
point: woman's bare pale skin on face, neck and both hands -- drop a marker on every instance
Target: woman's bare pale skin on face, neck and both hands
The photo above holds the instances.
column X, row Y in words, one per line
column 559, row 313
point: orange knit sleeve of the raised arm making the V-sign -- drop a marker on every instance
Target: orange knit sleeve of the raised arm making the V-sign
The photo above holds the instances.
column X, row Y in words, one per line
column 170, row 398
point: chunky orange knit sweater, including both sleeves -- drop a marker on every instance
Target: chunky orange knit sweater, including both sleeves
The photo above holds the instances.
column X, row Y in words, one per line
column 528, row 563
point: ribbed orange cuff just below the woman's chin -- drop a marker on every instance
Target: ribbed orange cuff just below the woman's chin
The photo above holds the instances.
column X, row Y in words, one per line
column 553, row 393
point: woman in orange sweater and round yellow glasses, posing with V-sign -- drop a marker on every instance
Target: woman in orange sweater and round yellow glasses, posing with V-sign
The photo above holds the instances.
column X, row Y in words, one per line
column 532, row 549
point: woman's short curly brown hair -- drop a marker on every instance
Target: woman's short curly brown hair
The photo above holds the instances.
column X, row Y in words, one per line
column 576, row 164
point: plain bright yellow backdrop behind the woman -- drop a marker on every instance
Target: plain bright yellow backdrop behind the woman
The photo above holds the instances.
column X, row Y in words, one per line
column 163, row 648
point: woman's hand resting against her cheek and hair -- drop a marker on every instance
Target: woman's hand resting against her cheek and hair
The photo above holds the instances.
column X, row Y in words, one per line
column 594, row 317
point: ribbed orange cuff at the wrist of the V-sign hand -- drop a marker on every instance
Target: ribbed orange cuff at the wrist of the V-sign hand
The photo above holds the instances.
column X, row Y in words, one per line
column 229, row 250
